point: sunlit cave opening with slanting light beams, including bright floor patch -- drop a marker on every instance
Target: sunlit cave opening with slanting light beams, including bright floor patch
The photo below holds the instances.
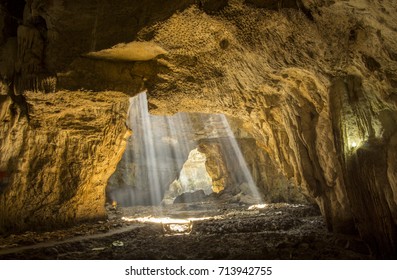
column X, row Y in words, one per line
column 180, row 168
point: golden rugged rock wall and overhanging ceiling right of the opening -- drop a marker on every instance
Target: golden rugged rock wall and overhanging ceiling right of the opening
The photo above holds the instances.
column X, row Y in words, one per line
column 307, row 86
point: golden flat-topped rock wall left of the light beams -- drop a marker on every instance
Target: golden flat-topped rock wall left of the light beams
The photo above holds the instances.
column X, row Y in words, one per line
column 56, row 162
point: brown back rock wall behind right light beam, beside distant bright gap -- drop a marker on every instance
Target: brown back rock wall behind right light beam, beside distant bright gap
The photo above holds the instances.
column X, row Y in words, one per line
column 226, row 174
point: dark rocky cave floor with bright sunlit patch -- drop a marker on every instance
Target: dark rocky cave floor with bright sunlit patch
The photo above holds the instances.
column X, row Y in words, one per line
column 220, row 231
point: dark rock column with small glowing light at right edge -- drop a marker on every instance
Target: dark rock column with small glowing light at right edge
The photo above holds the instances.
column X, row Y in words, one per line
column 364, row 131
